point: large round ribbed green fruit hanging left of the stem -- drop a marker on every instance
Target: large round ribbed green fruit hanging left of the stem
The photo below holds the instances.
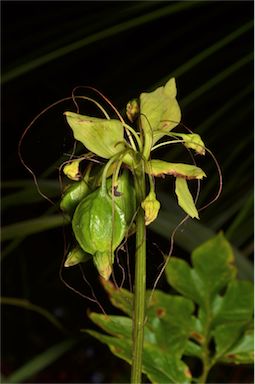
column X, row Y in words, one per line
column 99, row 226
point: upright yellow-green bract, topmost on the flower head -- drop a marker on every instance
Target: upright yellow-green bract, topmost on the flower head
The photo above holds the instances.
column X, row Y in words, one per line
column 160, row 110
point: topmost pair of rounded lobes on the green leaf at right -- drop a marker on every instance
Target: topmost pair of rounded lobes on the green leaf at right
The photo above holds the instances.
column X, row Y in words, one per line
column 213, row 269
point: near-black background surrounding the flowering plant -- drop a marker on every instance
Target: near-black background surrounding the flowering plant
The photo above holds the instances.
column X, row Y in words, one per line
column 137, row 55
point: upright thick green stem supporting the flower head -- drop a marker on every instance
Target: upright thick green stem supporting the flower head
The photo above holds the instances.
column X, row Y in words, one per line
column 140, row 282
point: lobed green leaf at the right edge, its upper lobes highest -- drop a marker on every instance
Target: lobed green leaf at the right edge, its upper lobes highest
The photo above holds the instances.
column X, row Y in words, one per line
column 222, row 315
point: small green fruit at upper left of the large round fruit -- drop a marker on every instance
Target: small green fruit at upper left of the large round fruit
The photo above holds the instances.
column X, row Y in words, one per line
column 73, row 195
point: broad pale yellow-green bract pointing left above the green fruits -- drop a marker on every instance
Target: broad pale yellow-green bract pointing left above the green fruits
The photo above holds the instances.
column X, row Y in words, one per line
column 103, row 137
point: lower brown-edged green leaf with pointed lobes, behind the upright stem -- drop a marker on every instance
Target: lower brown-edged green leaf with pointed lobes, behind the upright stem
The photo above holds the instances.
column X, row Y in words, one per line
column 160, row 322
